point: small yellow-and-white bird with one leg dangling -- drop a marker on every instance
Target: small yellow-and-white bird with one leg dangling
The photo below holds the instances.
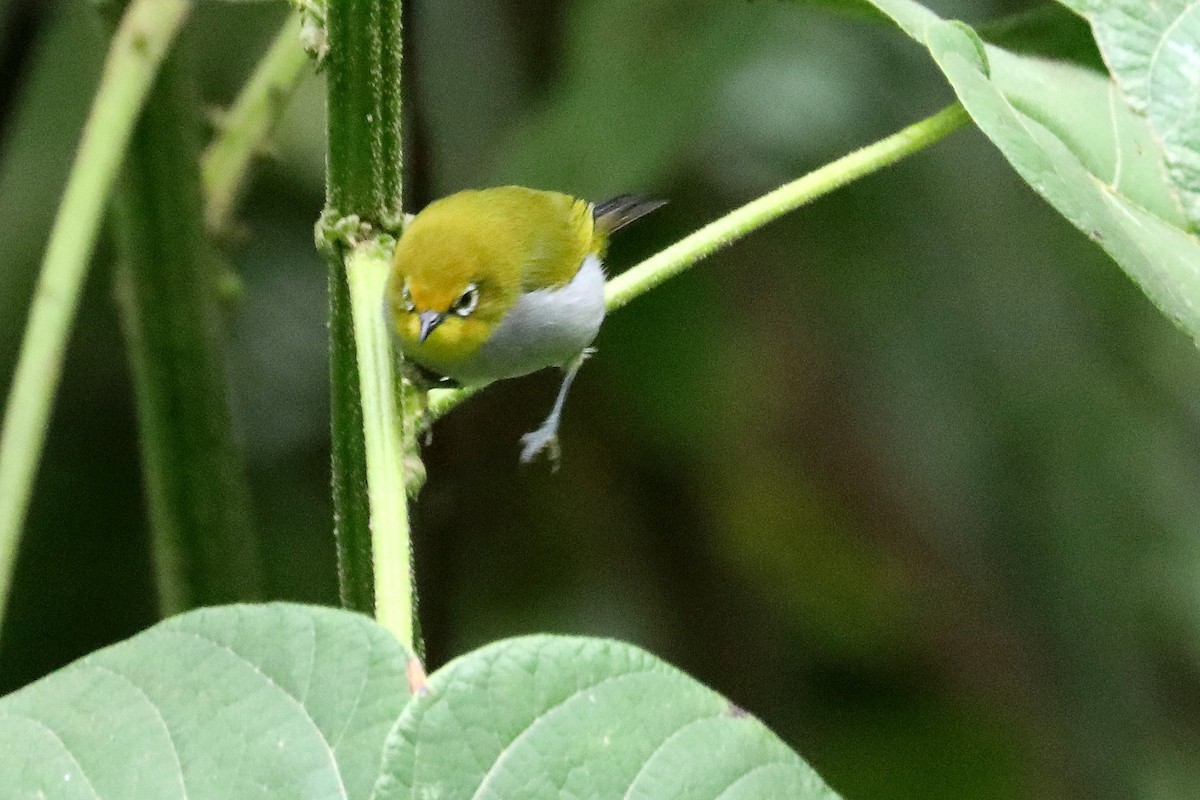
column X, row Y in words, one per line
column 501, row 282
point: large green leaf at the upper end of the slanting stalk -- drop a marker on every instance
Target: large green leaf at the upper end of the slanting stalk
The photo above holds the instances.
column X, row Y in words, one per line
column 1071, row 136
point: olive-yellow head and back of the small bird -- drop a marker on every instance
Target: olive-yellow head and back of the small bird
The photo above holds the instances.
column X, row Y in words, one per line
column 465, row 260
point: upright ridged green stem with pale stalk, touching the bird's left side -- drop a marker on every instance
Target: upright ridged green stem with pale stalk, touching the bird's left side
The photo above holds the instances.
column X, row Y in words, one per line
column 363, row 201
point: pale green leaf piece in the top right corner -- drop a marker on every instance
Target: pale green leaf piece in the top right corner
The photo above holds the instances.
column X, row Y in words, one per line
column 1154, row 51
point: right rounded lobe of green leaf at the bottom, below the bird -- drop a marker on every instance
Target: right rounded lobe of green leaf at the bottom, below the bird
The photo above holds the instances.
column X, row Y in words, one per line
column 575, row 718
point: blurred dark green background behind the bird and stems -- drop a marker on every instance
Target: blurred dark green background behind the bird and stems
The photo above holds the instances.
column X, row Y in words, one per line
column 911, row 474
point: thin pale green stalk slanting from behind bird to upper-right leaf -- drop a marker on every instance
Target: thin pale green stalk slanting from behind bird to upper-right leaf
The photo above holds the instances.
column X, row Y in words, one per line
column 675, row 260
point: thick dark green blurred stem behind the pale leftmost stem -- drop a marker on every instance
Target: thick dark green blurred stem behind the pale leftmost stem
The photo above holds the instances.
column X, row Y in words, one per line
column 197, row 488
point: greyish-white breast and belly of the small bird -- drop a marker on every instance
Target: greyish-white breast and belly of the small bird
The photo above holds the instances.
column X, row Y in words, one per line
column 548, row 328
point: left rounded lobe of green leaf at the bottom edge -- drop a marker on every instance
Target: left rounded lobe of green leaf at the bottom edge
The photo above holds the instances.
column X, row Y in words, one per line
column 275, row 701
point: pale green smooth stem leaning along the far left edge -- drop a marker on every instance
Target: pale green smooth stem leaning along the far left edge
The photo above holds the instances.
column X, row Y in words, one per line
column 146, row 34
